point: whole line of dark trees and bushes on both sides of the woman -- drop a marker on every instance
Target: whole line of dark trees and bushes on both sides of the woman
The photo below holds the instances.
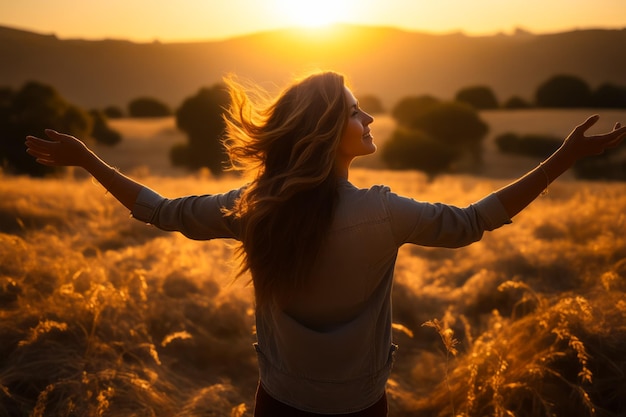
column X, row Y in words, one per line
column 432, row 135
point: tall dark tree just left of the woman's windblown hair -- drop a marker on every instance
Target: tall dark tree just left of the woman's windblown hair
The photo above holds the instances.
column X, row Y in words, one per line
column 200, row 117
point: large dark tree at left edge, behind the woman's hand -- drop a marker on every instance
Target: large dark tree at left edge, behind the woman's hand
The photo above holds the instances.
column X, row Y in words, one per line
column 29, row 111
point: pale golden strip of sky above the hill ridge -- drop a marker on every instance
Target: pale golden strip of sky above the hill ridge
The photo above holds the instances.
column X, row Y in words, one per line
column 194, row 20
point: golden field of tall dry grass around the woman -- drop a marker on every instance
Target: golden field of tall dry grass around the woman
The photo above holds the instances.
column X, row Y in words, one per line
column 101, row 315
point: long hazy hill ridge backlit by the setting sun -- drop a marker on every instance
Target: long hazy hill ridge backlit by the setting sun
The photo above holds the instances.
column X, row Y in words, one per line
column 387, row 62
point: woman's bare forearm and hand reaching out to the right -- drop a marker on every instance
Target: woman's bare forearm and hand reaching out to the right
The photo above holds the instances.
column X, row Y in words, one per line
column 519, row 194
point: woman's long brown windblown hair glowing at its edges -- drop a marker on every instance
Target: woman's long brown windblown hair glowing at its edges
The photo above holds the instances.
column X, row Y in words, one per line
column 286, row 210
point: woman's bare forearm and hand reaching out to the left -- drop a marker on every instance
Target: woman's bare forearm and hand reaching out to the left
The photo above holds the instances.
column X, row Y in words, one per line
column 66, row 150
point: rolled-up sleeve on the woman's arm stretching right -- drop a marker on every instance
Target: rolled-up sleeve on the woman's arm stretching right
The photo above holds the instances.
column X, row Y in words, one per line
column 441, row 225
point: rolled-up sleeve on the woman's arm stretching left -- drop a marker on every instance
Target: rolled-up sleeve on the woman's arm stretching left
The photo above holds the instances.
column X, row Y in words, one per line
column 197, row 217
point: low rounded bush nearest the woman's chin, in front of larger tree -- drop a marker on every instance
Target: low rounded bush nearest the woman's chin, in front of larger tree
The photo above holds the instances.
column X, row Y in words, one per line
column 414, row 149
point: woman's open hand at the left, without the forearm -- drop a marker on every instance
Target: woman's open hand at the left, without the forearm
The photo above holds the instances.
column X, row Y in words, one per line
column 60, row 150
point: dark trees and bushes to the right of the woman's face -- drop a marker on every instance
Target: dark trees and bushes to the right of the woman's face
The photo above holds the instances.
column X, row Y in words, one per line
column 437, row 136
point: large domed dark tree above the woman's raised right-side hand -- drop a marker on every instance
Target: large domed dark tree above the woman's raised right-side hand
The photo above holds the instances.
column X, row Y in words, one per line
column 565, row 91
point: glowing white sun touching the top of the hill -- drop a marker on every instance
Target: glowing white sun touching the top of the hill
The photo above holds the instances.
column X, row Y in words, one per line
column 312, row 13
